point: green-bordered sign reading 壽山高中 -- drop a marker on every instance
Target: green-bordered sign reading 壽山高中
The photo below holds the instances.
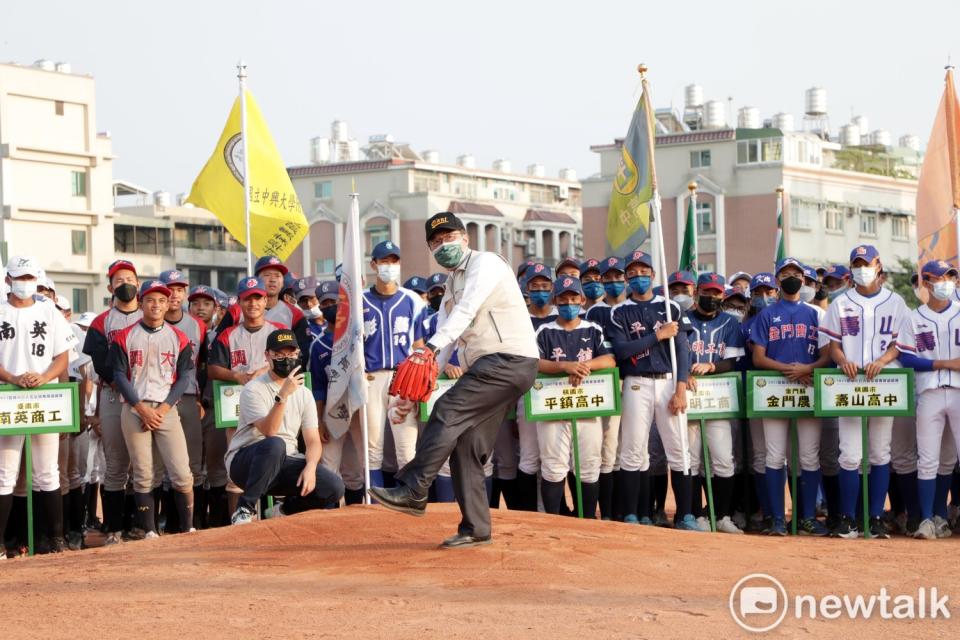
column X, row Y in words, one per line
column 891, row 393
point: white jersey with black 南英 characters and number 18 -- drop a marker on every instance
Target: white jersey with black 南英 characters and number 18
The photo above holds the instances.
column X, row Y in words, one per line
column 31, row 337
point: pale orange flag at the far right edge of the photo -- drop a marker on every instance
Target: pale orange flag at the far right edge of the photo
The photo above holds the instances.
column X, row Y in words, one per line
column 938, row 194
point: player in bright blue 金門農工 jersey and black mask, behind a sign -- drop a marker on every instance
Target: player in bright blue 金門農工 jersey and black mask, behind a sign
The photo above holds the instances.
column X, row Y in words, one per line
column 785, row 338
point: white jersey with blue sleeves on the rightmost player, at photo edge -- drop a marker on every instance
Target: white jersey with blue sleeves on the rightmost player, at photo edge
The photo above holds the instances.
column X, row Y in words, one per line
column 933, row 335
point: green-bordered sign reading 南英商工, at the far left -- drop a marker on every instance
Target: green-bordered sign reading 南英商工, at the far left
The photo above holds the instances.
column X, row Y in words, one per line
column 52, row 408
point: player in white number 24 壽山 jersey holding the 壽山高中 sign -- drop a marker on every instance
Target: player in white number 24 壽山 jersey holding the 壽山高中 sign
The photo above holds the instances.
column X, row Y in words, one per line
column 863, row 325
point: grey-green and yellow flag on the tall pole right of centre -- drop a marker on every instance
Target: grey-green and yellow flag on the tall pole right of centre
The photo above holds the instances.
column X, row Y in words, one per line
column 628, row 219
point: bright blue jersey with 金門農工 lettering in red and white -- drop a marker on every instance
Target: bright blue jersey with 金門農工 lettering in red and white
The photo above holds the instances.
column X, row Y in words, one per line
column 788, row 331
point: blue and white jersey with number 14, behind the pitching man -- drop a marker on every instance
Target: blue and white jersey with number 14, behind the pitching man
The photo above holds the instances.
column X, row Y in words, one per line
column 391, row 324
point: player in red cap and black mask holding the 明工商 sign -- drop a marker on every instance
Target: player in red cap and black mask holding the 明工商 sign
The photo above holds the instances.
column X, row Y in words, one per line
column 715, row 345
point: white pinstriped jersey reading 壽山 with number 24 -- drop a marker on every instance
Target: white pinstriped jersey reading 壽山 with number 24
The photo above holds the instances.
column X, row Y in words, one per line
column 865, row 326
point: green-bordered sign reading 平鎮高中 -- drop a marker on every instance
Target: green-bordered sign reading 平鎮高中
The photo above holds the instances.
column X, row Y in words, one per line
column 554, row 398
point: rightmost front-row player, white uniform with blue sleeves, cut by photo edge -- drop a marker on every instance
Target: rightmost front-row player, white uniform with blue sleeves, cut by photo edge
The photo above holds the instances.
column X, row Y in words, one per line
column 928, row 342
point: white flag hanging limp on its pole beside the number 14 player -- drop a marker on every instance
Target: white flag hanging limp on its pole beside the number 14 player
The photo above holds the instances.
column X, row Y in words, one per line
column 347, row 390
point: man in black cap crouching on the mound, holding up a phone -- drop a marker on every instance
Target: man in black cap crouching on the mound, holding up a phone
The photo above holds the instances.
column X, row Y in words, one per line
column 263, row 459
